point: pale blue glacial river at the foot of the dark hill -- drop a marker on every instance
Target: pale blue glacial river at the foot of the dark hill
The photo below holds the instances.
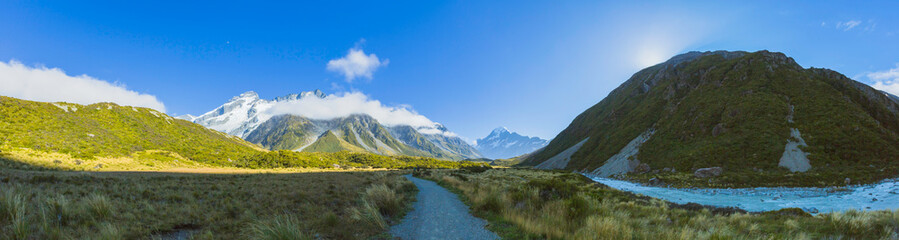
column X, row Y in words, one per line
column 880, row 196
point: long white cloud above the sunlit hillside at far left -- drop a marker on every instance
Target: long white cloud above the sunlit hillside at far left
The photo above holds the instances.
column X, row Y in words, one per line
column 53, row 85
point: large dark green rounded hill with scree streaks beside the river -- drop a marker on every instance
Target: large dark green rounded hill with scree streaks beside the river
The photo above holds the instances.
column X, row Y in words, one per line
column 733, row 110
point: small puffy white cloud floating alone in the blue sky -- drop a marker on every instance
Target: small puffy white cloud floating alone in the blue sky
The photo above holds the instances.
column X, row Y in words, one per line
column 356, row 64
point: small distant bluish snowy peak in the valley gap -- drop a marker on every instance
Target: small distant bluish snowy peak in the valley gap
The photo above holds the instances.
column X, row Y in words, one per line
column 503, row 144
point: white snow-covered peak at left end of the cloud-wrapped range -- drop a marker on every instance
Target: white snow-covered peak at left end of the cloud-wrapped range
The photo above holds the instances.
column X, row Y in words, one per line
column 243, row 113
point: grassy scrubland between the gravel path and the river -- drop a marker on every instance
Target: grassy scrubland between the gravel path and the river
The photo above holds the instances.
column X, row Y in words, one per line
column 533, row 204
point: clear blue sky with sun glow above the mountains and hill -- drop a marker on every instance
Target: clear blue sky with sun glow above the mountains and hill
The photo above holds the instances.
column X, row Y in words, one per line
column 531, row 66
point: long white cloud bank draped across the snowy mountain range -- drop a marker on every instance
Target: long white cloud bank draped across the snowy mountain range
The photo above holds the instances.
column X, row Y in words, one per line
column 348, row 103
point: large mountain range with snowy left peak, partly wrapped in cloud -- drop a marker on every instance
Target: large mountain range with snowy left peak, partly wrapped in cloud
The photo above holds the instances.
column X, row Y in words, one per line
column 246, row 116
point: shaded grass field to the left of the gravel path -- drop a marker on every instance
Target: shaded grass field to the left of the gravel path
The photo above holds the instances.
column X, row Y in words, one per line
column 152, row 205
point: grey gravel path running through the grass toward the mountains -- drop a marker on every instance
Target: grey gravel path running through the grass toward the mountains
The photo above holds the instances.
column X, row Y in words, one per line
column 438, row 214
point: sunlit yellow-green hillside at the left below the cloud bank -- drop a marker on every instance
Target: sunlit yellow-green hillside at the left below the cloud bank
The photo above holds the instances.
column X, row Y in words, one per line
column 110, row 130
